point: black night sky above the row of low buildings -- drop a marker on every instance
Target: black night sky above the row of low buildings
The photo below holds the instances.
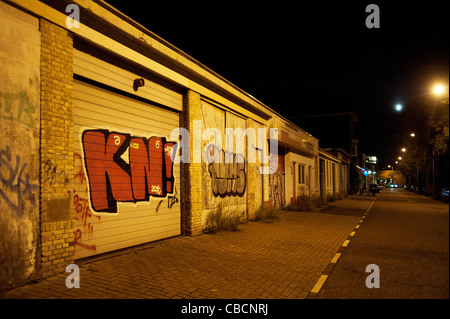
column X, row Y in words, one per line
column 314, row 57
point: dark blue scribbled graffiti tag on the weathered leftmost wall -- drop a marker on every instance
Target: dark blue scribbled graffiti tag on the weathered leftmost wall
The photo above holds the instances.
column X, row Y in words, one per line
column 15, row 186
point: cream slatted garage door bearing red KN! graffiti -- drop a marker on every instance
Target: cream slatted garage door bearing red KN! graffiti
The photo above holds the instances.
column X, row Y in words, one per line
column 126, row 186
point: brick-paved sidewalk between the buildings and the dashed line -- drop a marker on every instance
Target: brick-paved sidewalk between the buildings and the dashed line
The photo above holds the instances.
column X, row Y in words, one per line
column 279, row 260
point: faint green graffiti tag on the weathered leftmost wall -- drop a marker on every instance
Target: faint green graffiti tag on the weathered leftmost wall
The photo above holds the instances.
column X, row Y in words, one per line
column 17, row 107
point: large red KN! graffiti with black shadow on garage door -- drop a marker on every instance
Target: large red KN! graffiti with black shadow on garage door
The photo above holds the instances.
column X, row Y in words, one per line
column 125, row 168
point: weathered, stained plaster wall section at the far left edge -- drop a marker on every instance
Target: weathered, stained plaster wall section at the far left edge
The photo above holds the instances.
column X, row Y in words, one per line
column 19, row 145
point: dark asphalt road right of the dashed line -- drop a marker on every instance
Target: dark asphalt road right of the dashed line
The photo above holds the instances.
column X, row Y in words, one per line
column 407, row 236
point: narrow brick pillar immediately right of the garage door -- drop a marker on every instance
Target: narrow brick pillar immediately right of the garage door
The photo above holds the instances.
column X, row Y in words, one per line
column 191, row 173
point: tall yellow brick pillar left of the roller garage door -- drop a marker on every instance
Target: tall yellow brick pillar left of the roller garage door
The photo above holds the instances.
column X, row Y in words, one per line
column 56, row 158
